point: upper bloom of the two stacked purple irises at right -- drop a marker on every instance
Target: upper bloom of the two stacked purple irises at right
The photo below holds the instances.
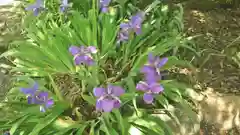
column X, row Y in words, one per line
column 154, row 65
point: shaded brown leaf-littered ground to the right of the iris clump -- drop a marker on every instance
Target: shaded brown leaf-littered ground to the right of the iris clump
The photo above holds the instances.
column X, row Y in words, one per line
column 219, row 41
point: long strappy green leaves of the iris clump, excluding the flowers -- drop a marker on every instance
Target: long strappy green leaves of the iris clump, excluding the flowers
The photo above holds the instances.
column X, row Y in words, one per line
column 44, row 57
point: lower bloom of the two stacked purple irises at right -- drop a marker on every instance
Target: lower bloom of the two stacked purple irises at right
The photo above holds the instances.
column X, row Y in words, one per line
column 150, row 90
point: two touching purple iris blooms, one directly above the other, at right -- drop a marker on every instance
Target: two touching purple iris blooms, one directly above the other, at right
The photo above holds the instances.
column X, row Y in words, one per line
column 150, row 86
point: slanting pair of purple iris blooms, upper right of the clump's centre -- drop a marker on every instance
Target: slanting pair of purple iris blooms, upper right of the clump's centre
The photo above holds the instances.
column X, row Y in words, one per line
column 135, row 25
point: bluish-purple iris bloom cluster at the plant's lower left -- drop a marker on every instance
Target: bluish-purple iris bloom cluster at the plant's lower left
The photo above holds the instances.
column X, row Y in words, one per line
column 38, row 97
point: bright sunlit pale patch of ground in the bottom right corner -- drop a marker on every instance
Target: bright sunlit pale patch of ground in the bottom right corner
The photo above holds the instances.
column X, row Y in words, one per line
column 220, row 110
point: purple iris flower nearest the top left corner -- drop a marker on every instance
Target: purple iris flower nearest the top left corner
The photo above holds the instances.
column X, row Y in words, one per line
column 36, row 7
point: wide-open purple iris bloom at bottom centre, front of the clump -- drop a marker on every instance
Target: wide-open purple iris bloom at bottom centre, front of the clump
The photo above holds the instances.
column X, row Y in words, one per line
column 108, row 98
